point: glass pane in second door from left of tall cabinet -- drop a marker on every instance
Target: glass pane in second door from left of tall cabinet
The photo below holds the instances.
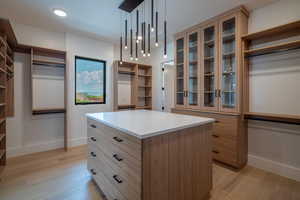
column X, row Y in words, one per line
column 193, row 69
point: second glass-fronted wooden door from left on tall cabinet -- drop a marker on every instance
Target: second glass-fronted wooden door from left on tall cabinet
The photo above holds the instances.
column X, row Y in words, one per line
column 193, row 80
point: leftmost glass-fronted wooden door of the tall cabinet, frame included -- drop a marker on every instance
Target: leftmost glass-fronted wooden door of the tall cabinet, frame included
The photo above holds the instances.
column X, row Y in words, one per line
column 180, row 91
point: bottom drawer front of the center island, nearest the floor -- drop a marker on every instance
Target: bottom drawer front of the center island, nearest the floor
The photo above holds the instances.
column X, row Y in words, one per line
column 106, row 187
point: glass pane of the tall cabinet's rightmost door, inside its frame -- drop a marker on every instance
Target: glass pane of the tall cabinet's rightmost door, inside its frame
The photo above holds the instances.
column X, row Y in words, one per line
column 228, row 64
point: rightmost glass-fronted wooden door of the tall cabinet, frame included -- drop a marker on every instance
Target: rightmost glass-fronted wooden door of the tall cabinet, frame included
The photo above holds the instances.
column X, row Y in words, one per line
column 228, row 65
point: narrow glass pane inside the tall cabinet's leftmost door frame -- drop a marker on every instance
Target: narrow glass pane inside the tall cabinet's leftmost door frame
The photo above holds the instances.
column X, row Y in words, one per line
column 180, row 71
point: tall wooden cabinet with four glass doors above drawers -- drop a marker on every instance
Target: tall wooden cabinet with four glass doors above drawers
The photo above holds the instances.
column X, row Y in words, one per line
column 209, row 73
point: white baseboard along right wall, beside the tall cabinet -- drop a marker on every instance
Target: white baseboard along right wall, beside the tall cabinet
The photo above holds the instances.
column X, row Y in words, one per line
column 274, row 167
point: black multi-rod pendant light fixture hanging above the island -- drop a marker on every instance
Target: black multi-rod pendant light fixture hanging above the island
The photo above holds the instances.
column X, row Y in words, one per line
column 147, row 21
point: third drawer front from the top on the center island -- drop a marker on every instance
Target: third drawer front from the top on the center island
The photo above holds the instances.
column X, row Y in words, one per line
column 118, row 178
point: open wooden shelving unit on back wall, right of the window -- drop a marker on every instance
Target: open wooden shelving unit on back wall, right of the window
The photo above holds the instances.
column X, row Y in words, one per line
column 132, row 86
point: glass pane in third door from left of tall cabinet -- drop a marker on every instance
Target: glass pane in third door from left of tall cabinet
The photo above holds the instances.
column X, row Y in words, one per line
column 209, row 67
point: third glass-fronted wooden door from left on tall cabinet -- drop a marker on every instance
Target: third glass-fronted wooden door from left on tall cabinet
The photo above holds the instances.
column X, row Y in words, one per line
column 209, row 68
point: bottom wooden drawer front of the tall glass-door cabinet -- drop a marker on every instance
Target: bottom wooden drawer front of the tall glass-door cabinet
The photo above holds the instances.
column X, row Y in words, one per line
column 225, row 155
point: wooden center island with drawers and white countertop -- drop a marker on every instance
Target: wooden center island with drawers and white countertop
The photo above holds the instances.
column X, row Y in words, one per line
column 150, row 155
